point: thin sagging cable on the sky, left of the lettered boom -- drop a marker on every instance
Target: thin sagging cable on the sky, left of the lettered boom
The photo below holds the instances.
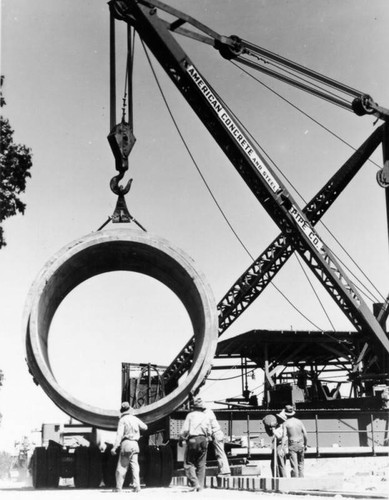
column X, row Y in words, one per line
column 210, row 191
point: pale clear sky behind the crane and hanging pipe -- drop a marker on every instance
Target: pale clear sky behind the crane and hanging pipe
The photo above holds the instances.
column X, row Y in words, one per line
column 55, row 58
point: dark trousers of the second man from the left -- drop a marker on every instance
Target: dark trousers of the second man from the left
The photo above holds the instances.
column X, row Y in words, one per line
column 195, row 461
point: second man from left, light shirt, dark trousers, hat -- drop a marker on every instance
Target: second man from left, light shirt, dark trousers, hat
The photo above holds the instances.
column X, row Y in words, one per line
column 197, row 432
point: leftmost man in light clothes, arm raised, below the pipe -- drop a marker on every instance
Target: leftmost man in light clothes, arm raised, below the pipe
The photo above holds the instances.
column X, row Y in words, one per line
column 127, row 436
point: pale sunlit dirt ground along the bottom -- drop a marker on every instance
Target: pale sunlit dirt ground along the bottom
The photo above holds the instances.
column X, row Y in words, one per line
column 366, row 477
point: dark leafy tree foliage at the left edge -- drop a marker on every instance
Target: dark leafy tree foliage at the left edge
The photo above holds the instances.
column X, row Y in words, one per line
column 15, row 163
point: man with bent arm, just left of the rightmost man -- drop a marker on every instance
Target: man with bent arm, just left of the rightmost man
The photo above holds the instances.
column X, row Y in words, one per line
column 274, row 426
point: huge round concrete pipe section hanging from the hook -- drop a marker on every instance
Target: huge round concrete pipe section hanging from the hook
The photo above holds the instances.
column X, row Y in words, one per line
column 118, row 250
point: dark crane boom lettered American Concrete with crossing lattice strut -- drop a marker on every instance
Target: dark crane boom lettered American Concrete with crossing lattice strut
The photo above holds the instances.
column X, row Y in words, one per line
column 296, row 224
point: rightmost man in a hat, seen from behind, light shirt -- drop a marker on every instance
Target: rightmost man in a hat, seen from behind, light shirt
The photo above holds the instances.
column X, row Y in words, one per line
column 297, row 441
